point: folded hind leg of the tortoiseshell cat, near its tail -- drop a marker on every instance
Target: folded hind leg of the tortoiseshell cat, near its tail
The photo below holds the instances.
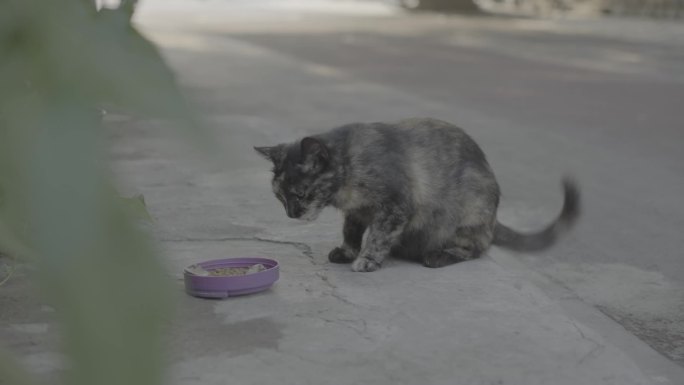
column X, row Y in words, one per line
column 469, row 242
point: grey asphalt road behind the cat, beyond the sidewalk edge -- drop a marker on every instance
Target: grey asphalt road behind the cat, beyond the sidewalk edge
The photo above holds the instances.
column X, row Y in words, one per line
column 601, row 101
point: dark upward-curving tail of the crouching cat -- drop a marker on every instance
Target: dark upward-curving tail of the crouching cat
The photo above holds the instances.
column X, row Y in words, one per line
column 506, row 237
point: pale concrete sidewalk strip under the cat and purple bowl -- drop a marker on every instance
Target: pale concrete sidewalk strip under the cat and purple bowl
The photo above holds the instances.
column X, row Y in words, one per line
column 481, row 322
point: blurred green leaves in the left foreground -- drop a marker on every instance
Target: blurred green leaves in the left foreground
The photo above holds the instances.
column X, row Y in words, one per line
column 60, row 60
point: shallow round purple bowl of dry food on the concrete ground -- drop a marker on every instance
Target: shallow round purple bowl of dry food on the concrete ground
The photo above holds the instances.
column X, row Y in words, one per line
column 231, row 286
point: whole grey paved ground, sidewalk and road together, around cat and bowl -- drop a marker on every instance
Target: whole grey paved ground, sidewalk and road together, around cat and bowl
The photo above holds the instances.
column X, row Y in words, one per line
column 490, row 321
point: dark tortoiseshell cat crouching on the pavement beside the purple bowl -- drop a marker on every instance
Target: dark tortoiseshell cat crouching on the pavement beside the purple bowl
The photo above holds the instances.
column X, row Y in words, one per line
column 418, row 189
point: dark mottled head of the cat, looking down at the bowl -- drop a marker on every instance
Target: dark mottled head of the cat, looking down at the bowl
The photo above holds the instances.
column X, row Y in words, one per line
column 303, row 176
